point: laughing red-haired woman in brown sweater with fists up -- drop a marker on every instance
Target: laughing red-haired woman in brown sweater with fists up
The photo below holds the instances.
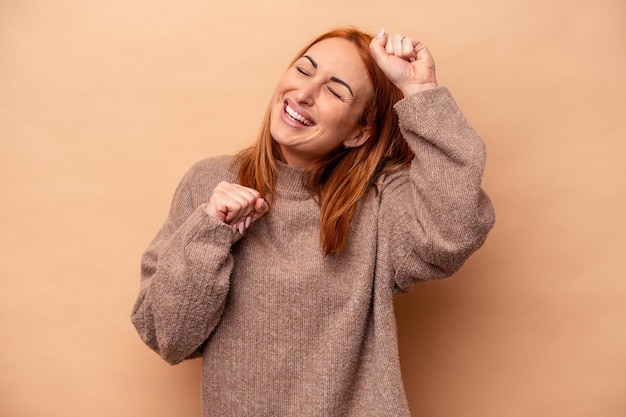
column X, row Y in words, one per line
column 279, row 266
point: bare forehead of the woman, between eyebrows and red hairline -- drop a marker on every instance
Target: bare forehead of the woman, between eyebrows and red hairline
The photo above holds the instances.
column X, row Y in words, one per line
column 340, row 58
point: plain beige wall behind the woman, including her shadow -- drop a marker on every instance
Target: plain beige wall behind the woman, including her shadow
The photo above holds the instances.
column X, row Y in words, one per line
column 105, row 104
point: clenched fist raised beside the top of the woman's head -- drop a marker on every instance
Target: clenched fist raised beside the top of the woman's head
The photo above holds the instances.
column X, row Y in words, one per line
column 407, row 63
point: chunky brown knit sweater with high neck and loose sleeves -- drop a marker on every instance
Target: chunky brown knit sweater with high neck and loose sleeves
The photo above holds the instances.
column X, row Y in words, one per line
column 284, row 330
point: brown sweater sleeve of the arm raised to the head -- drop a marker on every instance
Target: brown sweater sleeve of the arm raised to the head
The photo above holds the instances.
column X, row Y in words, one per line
column 435, row 214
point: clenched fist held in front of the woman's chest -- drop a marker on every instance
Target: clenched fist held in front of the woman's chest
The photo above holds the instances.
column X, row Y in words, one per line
column 236, row 205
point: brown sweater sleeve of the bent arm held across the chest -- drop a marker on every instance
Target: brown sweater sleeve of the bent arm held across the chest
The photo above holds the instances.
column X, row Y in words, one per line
column 185, row 276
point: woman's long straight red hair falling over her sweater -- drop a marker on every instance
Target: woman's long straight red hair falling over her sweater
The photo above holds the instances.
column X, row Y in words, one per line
column 341, row 178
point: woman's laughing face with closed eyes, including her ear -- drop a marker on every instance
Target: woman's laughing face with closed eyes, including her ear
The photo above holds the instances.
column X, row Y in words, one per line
column 317, row 102
